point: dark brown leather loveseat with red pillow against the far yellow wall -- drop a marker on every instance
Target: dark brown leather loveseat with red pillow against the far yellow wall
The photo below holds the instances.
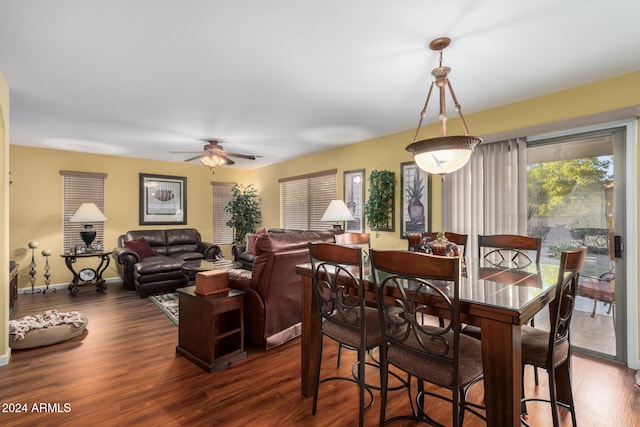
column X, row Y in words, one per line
column 161, row 272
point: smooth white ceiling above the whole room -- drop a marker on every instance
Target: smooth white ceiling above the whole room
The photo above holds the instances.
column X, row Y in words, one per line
column 282, row 78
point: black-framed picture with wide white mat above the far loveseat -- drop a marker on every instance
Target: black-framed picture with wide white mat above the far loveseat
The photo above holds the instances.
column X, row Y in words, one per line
column 163, row 199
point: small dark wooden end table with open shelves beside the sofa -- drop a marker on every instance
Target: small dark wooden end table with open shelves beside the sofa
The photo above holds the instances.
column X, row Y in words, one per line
column 211, row 328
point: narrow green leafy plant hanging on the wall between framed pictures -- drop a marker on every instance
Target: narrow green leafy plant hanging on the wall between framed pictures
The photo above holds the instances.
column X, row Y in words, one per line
column 379, row 208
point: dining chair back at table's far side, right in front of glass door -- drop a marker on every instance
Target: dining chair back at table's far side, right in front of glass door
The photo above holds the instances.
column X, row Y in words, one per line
column 509, row 249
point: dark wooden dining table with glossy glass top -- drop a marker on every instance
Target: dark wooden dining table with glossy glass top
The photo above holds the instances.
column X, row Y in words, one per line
column 498, row 299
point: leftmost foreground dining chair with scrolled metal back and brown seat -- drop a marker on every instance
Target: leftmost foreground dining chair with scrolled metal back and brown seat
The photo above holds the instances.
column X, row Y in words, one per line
column 344, row 316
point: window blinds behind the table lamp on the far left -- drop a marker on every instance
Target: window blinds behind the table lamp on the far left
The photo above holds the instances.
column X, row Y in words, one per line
column 79, row 188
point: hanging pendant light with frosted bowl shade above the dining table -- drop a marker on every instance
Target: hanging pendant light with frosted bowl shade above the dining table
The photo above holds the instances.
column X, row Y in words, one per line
column 443, row 154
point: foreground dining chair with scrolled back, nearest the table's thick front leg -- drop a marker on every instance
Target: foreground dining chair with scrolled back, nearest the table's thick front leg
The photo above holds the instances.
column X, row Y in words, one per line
column 427, row 351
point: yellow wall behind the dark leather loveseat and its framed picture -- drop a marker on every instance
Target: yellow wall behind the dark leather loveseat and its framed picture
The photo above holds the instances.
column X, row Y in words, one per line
column 36, row 202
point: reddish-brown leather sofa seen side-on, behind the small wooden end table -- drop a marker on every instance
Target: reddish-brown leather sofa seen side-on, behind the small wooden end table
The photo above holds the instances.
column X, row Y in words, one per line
column 273, row 292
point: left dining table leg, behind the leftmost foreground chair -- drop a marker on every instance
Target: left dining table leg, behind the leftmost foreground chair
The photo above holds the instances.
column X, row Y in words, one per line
column 310, row 338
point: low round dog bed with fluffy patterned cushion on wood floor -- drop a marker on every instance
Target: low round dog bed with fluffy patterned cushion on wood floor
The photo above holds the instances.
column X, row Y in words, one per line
column 50, row 327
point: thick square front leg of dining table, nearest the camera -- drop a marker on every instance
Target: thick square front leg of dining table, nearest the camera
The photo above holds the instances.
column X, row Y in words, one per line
column 502, row 365
